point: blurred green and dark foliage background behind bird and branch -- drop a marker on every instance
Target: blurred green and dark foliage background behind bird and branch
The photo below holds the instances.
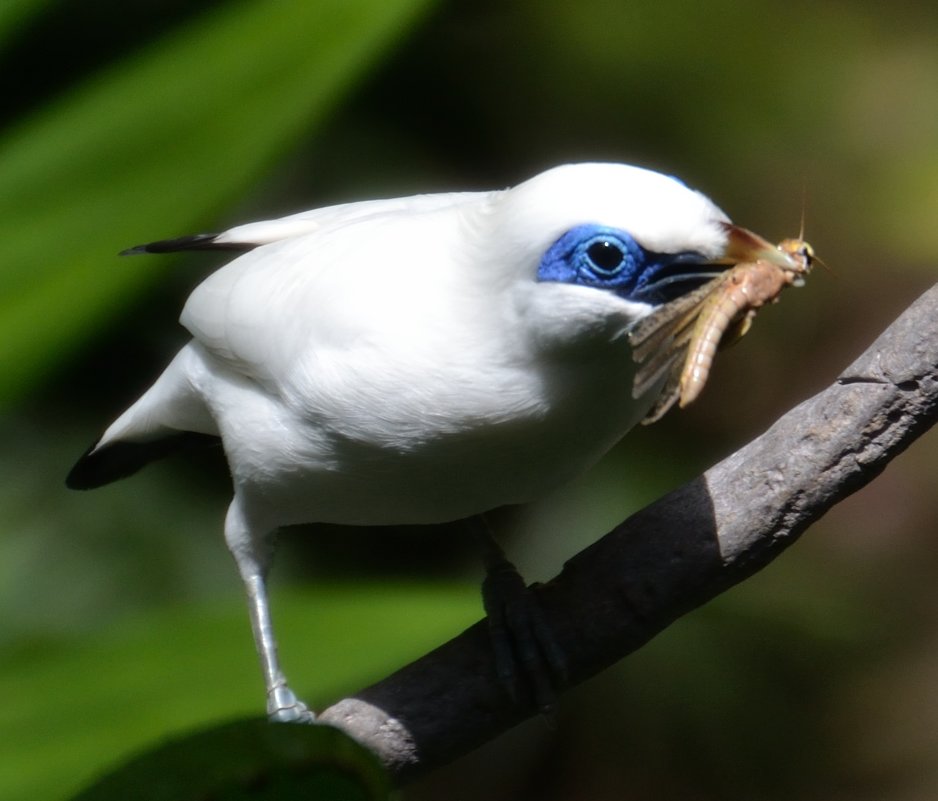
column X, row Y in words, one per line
column 121, row 618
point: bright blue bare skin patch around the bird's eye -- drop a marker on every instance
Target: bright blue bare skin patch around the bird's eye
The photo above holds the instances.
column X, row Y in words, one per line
column 609, row 258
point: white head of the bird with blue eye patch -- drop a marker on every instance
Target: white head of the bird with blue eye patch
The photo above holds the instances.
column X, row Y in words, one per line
column 596, row 247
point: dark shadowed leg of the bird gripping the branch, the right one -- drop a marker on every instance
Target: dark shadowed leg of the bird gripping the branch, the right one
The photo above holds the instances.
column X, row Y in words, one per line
column 521, row 639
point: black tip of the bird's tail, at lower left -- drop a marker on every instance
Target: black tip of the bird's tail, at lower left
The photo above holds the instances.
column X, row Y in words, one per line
column 116, row 460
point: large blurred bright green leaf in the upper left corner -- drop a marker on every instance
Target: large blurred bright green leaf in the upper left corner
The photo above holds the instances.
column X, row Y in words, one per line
column 156, row 147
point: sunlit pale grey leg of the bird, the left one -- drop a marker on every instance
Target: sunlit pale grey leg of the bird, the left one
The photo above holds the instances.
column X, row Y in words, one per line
column 252, row 555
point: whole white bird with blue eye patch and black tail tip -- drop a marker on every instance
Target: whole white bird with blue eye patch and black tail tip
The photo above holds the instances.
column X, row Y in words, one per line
column 416, row 360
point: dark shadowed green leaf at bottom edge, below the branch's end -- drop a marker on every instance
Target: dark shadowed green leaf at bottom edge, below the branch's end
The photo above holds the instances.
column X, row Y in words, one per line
column 249, row 759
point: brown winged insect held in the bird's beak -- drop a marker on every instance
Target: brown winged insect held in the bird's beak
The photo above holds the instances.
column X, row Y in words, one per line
column 678, row 341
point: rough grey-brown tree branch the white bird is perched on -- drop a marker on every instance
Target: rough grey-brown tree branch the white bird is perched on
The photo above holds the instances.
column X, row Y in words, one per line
column 672, row 556
